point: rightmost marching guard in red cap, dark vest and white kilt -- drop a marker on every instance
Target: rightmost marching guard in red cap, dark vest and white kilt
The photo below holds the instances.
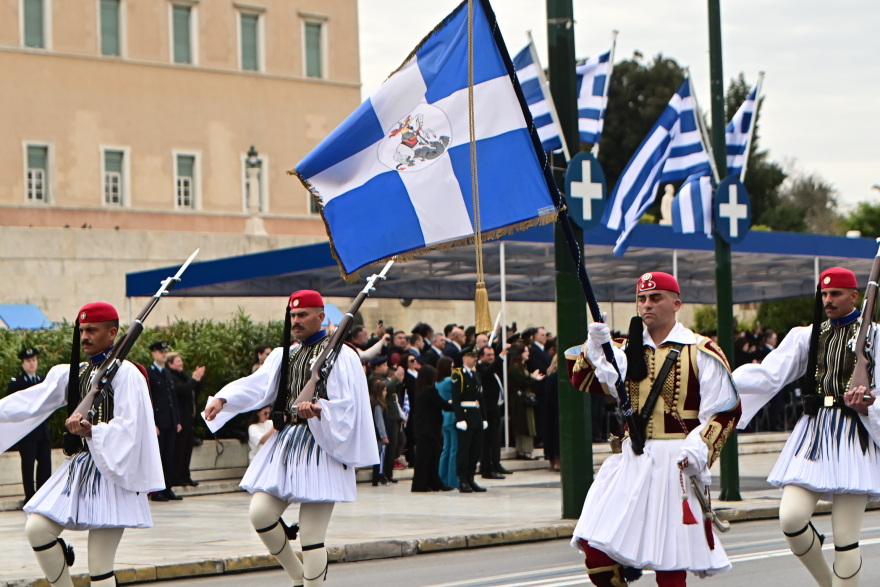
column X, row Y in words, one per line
column 830, row 454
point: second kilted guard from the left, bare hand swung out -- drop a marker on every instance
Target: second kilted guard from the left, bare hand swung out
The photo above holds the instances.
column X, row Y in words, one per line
column 311, row 459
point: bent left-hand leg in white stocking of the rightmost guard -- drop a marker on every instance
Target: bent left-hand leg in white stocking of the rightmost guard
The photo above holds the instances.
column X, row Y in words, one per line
column 795, row 510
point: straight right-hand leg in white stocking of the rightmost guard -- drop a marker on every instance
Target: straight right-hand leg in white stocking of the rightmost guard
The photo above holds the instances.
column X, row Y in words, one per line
column 847, row 511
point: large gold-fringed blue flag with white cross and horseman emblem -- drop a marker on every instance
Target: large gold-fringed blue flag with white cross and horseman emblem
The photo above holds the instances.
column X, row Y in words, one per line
column 395, row 177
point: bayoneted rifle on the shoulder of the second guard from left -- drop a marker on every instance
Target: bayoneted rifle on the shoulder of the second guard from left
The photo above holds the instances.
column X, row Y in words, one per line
column 316, row 386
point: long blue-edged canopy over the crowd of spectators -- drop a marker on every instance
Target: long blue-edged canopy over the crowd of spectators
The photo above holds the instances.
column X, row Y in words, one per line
column 766, row 265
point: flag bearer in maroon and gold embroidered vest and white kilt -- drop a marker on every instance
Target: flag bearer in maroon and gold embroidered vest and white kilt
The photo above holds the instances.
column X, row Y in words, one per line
column 637, row 512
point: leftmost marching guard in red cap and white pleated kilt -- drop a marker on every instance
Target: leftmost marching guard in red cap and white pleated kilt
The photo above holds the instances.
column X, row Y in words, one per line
column 103, row 486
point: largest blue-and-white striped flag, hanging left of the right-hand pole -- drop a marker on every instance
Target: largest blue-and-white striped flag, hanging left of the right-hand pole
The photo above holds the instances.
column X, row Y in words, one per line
column 672, row 151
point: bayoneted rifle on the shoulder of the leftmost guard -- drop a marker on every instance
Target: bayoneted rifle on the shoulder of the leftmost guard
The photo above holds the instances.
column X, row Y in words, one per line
column 101, row 379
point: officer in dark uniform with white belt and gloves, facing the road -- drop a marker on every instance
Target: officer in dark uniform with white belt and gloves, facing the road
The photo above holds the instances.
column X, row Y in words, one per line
column 470, row 419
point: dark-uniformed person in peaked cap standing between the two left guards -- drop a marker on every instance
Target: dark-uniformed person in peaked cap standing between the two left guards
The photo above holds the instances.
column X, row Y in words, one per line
column 166, row 414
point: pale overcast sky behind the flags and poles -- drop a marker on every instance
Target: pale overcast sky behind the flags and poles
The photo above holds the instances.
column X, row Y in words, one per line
column 820, row 58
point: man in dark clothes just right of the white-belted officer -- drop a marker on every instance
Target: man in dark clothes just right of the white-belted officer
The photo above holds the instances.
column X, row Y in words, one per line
column 490, row 369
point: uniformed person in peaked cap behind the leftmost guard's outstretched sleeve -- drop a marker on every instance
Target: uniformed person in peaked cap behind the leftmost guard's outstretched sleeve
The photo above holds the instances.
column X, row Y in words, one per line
column 36, row 447
